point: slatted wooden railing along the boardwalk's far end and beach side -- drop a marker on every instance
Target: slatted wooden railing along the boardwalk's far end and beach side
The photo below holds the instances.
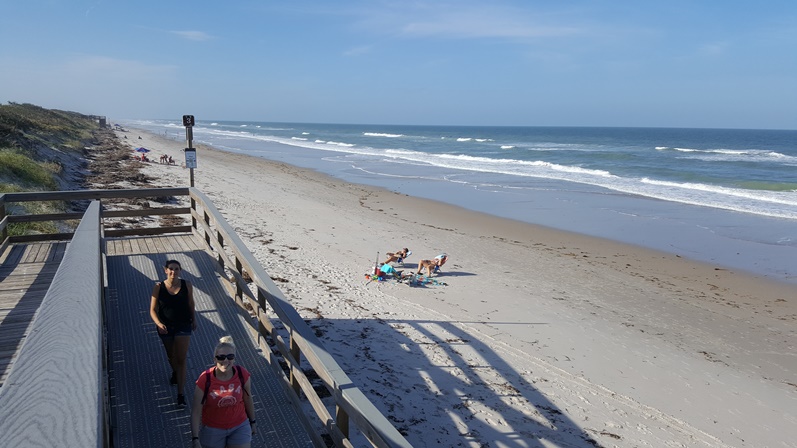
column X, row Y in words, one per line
column 297, row 342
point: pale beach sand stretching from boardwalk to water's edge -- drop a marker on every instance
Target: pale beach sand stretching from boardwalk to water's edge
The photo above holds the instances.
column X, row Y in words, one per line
column 538, row 337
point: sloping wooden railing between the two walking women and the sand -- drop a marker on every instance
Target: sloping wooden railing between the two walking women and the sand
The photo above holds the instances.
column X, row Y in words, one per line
column 352, row 403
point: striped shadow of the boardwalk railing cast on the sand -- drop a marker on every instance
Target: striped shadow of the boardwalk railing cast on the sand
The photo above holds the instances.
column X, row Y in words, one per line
column 409, row 385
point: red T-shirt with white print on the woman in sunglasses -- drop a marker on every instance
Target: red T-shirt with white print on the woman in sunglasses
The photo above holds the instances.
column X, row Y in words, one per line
column 224, row 404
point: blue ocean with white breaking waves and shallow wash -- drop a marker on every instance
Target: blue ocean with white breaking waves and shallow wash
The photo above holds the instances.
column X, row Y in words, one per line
column 722, row 196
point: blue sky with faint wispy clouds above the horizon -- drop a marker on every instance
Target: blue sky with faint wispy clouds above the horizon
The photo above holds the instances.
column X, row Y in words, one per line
column 675, row 63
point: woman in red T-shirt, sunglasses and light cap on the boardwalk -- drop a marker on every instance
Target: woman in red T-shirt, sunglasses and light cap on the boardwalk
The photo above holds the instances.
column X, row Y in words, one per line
column 223, row 413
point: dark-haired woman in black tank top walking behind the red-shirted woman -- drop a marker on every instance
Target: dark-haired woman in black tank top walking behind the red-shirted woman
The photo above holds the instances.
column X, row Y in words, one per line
column 172, row 310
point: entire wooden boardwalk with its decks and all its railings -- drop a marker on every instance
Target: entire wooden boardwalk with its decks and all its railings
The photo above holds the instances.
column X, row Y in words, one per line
column 81, row 360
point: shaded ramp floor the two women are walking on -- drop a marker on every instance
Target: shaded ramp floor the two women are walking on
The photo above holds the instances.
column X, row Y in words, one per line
column 143, row 407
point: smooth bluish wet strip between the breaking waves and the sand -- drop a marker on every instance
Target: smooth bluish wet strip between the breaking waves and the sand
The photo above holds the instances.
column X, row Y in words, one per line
column 753, row 243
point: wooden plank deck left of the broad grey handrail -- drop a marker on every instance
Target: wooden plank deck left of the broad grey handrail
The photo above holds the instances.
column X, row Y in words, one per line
column 26, row 271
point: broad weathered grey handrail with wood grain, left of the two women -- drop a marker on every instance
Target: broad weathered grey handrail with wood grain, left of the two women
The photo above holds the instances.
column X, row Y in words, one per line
column 55, row 392
